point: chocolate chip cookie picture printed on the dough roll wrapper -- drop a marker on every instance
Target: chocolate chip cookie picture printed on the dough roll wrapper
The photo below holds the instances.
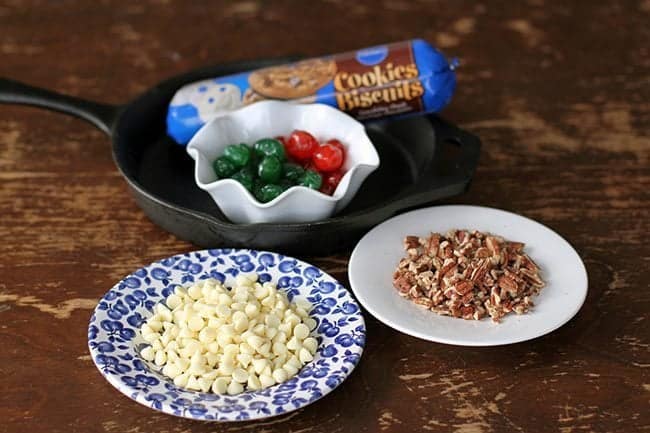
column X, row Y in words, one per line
column 293, row 81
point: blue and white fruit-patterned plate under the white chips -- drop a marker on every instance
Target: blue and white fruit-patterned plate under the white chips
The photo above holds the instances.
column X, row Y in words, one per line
column 115, row 341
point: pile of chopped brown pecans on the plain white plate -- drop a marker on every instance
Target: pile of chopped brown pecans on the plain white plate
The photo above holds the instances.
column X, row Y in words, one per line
column 467, row 274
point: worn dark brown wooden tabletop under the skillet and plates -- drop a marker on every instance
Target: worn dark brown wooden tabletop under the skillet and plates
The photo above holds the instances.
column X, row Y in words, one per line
column 558, row 91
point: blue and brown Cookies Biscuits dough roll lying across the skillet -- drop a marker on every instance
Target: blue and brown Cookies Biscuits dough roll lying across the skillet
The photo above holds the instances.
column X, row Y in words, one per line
column 387, row 80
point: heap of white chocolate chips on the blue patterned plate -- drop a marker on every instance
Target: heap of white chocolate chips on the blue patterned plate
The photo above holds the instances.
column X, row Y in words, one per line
column 209, row 338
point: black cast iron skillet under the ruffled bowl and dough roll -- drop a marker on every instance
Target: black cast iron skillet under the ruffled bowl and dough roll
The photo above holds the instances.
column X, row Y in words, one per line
column 422, row 159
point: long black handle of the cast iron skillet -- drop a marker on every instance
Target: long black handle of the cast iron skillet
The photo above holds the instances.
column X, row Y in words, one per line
column 103, row 116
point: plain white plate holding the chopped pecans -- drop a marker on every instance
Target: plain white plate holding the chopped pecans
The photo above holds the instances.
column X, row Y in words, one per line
column 376, row 256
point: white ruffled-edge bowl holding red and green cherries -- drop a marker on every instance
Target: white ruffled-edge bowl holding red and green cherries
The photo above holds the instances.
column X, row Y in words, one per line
column 270, row 119
